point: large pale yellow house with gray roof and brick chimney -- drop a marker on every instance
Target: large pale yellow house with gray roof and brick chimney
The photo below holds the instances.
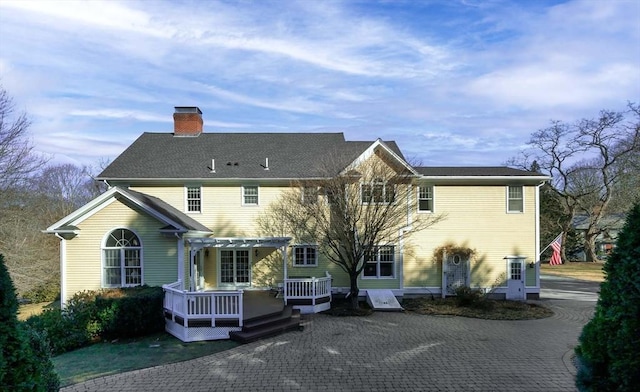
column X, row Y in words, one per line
column 181, row 212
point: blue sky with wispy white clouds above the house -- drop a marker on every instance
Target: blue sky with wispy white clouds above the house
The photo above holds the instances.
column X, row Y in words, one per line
column 453, row 82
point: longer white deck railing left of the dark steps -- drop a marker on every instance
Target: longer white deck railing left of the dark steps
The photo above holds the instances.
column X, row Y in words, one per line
column 202, row 305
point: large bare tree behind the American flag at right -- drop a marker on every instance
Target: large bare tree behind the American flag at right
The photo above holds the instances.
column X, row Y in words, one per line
column 585, row 161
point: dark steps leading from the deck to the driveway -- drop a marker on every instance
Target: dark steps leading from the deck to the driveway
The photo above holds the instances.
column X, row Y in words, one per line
column 268, row 325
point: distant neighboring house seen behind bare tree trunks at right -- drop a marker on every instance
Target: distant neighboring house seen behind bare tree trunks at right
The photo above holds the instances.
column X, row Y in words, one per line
column 608, row 229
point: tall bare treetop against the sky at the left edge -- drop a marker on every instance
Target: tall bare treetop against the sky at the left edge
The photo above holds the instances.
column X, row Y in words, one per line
column 17, row 159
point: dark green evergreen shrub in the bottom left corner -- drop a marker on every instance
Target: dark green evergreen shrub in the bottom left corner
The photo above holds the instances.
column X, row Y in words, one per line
column 25, row 359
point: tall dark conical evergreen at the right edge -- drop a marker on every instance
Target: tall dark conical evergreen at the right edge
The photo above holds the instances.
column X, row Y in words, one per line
column 608, row 346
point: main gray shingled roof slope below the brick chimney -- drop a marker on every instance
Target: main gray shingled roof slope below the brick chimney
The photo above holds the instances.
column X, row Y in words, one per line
column 237, row 155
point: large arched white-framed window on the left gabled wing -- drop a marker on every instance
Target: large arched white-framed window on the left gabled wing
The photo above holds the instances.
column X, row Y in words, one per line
column 122, row 259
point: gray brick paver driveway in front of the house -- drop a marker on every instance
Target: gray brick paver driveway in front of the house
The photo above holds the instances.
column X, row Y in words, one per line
column 390, row 352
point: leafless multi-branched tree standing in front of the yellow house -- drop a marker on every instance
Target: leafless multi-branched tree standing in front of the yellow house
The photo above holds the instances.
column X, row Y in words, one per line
column 350, row 215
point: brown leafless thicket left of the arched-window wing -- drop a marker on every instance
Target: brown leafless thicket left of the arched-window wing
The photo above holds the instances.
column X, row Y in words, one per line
column 55, row 191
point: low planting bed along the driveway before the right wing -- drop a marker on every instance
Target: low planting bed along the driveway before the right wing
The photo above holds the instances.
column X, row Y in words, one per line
column 485, row 309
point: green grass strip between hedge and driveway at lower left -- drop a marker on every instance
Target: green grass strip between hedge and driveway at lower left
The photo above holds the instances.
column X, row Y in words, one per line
column 103, row 359
